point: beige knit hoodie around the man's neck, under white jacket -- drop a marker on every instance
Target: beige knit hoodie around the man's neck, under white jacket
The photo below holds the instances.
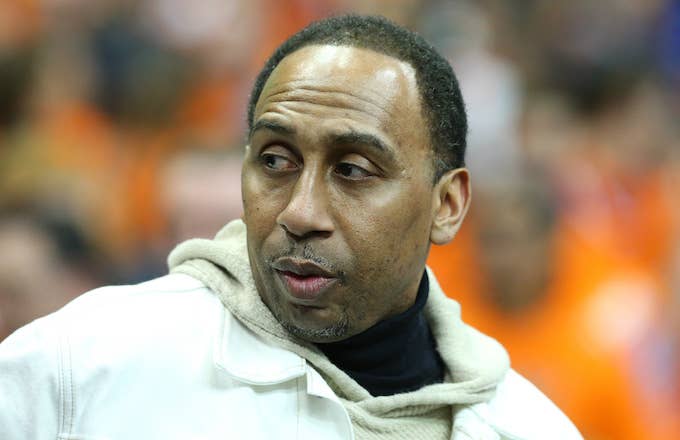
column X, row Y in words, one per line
column 475, row 362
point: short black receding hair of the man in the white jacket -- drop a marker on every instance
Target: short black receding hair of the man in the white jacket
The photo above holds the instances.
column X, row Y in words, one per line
column 442, row 103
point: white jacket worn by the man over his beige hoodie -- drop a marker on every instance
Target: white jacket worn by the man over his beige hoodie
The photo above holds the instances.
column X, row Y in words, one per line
column 166, row 360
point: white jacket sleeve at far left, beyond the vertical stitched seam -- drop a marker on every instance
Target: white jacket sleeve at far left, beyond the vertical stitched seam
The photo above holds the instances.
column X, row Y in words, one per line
column 31, row 381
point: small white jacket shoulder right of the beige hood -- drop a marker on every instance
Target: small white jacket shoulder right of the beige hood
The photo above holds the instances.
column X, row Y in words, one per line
column 519, row 411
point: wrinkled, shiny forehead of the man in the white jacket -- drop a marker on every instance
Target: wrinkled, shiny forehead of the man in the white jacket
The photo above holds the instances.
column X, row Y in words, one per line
column 351, row 84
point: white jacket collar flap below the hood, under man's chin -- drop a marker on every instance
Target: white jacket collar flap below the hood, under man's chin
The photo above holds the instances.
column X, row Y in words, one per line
column 247, row 358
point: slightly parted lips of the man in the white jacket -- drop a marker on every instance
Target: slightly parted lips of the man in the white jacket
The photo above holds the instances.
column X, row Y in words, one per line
column 304, row 279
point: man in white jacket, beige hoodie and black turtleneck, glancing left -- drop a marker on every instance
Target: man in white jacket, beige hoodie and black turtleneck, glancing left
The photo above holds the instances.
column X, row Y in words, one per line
column 314, row 317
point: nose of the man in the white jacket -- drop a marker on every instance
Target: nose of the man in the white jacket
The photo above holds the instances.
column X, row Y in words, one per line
column 306, row 213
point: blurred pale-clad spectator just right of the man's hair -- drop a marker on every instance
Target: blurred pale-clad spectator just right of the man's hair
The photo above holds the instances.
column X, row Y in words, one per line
column 490, row 85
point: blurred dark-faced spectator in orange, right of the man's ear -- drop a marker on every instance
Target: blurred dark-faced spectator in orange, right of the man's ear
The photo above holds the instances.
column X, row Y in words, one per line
column 568, row 313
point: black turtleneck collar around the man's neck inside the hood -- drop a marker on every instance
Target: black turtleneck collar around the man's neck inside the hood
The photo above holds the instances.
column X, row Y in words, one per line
column 396, row 355
